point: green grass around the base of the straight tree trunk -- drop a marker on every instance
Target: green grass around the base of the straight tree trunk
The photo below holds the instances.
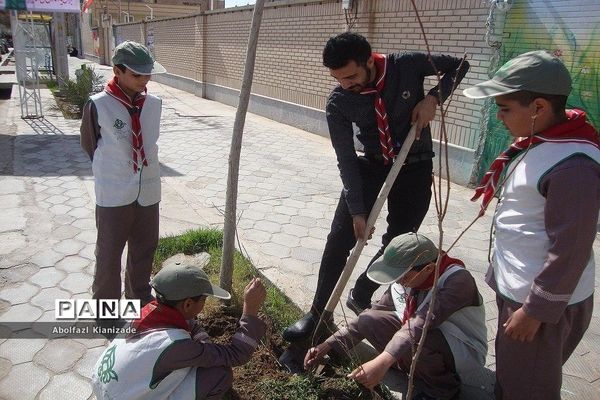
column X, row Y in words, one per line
column 278, row 307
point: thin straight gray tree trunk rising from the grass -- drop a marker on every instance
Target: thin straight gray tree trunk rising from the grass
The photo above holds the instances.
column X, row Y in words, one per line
column 234, row 153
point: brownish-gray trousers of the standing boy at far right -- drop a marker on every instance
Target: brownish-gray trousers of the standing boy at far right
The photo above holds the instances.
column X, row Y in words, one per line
column 533, row 370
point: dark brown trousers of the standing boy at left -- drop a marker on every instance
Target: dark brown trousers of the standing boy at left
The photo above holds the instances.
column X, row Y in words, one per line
column 138, row 227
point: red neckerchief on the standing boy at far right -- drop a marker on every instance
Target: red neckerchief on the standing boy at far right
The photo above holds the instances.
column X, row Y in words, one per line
column 574, row 130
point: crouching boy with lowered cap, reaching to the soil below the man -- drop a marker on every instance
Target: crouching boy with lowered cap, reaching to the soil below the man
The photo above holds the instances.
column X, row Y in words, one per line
column 456, row 342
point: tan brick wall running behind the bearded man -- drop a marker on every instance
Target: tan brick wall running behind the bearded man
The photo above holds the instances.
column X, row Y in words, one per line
column 210, row 47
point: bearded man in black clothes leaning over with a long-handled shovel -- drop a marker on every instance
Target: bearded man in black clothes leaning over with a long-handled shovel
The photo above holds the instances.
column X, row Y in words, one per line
column 383, row 96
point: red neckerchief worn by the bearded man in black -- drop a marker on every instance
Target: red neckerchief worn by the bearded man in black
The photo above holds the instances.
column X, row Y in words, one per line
column 385, row 137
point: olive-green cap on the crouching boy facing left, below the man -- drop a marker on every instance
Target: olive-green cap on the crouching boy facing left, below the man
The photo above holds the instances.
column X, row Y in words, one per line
column 404, row 251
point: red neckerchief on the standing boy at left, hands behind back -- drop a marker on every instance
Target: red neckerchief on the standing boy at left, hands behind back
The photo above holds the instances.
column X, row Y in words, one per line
column 134, row 109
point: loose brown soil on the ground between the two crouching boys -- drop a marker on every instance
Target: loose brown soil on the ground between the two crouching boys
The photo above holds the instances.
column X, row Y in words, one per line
column 263, row 378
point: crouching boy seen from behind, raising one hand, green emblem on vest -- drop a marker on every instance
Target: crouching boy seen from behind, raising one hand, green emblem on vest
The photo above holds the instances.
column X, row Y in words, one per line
column 169, row 356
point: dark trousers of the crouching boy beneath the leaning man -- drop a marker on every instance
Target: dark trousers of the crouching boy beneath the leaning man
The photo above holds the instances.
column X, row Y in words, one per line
column 435, row 371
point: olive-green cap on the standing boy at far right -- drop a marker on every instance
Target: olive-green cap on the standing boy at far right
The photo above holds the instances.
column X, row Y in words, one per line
column 535, row 71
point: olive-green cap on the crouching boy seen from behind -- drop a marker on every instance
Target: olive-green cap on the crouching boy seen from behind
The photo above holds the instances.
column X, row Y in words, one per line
column 180, row 280
